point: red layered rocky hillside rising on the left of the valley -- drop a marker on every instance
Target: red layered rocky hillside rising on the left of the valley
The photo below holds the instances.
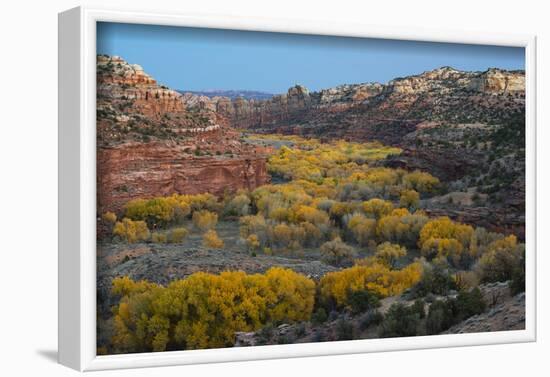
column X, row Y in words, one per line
column 150, row 144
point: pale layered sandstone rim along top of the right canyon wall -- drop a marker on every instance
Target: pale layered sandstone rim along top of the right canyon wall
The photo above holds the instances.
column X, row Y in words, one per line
column 433, row 93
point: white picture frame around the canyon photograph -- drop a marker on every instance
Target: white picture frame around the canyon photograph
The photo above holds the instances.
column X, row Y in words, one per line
column 77, row 190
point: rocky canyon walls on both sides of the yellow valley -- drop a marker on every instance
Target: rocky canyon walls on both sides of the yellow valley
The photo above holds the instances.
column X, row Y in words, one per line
column 154, row 141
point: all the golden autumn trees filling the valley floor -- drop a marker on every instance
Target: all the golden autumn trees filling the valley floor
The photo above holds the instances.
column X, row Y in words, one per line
column 336, row 192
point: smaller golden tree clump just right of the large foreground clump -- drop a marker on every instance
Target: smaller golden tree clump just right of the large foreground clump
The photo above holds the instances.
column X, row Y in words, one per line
column 372, row 276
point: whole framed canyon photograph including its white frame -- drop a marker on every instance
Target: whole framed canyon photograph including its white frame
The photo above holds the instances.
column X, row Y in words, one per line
column 244, row 189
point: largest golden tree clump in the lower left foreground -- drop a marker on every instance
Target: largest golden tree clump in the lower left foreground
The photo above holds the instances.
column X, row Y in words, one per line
column 205, row 310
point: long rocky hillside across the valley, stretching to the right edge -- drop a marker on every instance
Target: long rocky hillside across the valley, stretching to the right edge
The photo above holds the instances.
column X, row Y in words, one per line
column 466, row 128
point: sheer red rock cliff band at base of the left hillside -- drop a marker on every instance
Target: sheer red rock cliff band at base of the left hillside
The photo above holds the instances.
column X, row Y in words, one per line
column 144, row 170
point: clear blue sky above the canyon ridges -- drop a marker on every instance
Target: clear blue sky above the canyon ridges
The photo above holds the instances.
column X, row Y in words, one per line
column 203, row 59
